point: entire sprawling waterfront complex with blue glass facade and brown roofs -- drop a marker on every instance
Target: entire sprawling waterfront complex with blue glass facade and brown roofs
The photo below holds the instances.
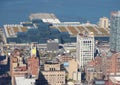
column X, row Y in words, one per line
column 45, row 26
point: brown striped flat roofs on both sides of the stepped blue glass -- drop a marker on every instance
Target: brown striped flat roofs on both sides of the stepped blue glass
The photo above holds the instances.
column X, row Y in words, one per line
column 73, row 29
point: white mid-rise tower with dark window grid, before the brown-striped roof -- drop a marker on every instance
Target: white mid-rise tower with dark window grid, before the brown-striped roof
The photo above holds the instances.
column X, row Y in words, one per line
column 85, row 48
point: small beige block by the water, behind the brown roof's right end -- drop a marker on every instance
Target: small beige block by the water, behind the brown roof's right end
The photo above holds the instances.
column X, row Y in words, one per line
column 104, row 22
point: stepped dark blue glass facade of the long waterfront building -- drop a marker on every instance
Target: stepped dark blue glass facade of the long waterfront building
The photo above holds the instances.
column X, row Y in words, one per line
column 40, row 34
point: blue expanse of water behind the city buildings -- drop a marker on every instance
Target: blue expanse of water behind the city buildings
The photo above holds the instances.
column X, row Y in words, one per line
column 15, row 11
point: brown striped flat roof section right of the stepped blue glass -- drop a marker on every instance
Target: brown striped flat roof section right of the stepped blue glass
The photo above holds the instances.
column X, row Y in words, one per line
column 75, row 29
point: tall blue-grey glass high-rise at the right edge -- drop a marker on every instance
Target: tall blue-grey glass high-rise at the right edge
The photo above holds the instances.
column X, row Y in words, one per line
column 115, row 32
